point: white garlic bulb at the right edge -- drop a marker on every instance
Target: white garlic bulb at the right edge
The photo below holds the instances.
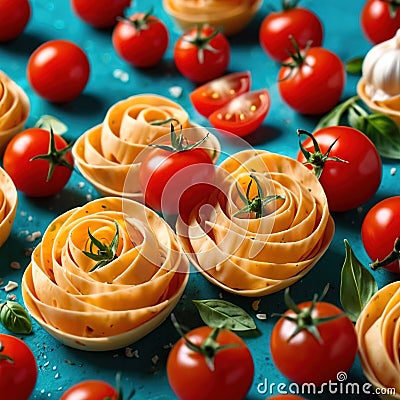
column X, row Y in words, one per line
column 381, row 70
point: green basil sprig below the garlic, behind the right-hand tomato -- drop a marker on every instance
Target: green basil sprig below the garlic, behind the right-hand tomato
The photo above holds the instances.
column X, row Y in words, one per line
column 381, row 129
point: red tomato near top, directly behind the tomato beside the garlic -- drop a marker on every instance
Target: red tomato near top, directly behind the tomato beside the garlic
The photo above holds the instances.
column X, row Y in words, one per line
column 277, row 28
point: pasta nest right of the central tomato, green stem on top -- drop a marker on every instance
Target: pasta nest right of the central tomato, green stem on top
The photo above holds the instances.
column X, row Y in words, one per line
column 258, row 256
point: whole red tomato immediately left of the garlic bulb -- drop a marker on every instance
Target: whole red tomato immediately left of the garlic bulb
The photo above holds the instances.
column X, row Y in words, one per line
column 315, row 82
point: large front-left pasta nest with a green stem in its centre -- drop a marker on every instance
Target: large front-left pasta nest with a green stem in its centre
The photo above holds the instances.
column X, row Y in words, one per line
column 62, row 290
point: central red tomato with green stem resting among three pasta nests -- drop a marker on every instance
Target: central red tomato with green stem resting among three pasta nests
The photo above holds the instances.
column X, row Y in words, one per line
column 175, row 177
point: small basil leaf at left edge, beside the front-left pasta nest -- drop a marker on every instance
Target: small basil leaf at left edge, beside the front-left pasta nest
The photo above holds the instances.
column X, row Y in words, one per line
column 15, row 318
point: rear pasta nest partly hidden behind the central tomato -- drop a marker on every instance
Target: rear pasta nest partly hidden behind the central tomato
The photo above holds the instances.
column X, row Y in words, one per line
column 108, row 152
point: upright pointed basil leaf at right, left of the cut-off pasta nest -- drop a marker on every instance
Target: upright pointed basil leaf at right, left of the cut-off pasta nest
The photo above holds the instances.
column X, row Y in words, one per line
column 357, row 285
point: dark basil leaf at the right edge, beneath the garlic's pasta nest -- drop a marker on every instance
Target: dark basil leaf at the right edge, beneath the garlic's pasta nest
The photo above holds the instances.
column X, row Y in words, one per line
column 384, row 133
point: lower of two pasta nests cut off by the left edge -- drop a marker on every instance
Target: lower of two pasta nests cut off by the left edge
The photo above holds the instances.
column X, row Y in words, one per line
column 8, row 205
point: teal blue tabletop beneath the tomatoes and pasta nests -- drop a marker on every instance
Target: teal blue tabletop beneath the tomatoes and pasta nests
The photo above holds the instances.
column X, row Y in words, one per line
column 60, row 366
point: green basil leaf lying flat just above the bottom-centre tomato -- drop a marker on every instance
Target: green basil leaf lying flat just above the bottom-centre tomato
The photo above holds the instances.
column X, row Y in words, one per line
column 222, row 314
